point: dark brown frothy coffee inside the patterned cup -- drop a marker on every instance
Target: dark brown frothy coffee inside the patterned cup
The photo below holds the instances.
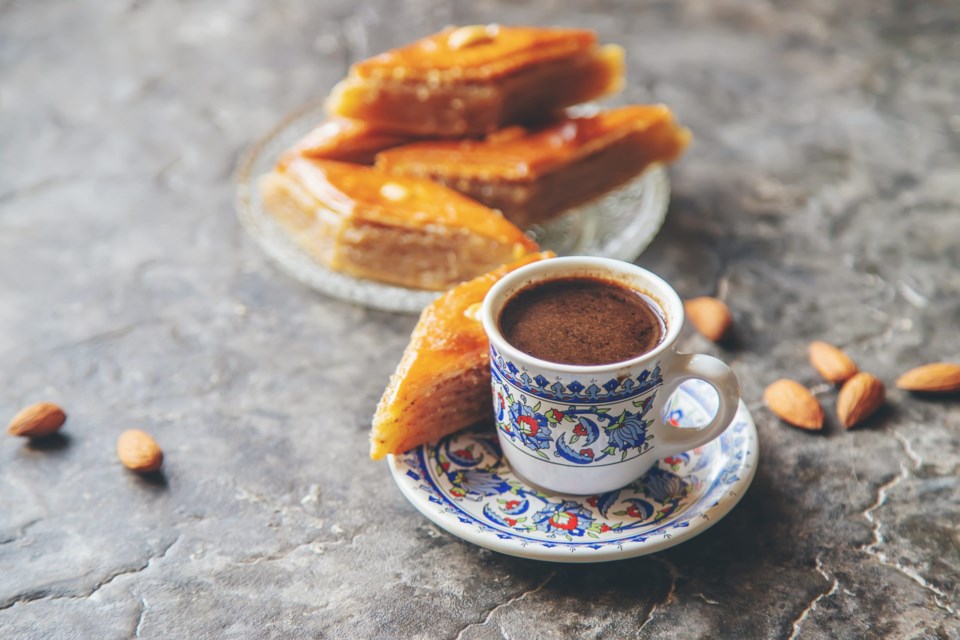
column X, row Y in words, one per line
column 582, row 321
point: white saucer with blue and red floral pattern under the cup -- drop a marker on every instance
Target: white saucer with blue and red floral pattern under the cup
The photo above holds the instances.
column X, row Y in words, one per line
column 465, row 486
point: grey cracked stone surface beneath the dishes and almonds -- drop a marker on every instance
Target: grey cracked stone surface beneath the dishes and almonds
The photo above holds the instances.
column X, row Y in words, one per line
column 821, row 200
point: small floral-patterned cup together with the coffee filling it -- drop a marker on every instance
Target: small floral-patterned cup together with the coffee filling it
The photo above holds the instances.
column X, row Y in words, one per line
column 589, row 428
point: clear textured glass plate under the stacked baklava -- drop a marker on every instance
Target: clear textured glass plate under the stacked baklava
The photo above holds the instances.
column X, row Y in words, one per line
column 619, row 225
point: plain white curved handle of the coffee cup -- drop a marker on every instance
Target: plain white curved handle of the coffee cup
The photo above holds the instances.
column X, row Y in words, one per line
column 697, row 366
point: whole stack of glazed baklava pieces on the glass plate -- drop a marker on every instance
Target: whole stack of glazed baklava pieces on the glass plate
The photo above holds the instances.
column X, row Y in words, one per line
column 437, row 155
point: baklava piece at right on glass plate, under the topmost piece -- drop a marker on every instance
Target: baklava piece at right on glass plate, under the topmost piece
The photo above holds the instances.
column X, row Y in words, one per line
column 532, row 175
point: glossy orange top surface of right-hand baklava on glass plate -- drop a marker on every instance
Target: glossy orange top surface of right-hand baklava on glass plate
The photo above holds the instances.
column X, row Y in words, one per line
column 519, row 154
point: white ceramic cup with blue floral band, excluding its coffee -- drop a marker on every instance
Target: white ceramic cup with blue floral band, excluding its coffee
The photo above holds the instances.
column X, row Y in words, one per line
column 589, row 429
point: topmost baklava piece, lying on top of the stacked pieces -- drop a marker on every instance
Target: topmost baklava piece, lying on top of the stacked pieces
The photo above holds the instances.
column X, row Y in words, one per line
column 477, row 79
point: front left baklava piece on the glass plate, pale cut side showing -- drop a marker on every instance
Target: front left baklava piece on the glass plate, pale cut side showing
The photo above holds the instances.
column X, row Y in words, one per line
column 403, row 231
